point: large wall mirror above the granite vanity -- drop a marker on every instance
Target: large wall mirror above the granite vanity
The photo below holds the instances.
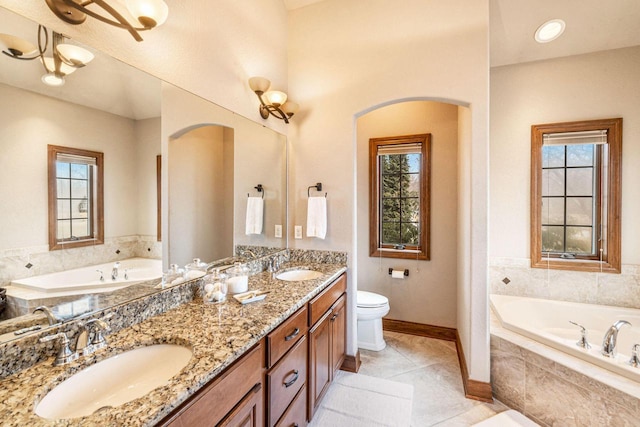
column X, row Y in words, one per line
column 132, row 118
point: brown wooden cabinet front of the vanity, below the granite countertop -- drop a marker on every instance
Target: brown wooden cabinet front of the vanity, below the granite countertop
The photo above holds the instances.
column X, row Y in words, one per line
column 275, row 372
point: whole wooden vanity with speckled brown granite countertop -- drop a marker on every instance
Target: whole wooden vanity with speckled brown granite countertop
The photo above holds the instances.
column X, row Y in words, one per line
column 263, row 363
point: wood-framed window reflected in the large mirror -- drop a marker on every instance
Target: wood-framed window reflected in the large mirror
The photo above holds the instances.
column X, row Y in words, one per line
column 76, row 216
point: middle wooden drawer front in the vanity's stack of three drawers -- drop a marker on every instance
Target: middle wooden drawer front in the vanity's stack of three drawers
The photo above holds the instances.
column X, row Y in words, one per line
column 286, row 379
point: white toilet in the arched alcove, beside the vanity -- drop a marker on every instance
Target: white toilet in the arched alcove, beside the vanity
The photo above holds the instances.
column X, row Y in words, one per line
column 370, row 310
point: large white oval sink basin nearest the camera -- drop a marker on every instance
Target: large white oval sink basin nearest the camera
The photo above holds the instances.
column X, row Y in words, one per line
column 114, row 381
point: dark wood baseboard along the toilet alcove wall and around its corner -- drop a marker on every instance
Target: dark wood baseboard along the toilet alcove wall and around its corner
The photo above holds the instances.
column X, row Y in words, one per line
column 476, row 390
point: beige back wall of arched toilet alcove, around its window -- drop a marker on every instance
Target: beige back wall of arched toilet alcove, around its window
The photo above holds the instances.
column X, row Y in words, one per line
column 428, row 295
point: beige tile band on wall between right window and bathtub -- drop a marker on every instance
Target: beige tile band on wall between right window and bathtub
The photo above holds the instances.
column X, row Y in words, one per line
column 621, row 290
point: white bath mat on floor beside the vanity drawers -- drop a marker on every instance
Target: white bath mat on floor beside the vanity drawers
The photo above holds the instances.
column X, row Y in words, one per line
column 356, row 400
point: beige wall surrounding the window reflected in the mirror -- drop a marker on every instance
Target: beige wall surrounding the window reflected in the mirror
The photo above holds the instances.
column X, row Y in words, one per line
column 27, row 125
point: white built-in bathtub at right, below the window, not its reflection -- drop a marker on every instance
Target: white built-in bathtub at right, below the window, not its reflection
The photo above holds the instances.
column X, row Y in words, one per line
column 548, row 322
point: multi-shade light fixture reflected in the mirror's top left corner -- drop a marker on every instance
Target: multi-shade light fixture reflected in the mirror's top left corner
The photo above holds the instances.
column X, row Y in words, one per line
column 65, row 58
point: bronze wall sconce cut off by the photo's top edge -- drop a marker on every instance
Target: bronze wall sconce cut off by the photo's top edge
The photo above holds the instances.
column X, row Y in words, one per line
column 149, row 13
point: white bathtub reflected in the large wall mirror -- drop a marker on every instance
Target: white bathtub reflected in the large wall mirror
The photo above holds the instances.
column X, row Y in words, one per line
column 87, row 279
